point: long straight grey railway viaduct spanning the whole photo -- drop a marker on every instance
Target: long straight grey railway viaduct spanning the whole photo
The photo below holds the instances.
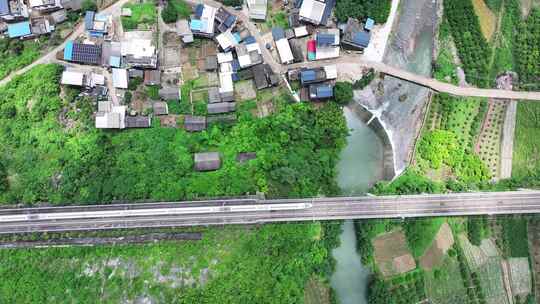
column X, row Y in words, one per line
column 253, row 211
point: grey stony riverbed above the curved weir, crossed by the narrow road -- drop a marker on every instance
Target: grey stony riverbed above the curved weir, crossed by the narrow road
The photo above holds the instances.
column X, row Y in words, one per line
column 399, row 105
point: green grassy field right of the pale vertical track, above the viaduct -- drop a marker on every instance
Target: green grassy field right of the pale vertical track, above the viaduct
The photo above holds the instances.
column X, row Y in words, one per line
column 526, row 158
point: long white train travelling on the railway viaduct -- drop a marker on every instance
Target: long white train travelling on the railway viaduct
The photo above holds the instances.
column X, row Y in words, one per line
column 151, row 212
